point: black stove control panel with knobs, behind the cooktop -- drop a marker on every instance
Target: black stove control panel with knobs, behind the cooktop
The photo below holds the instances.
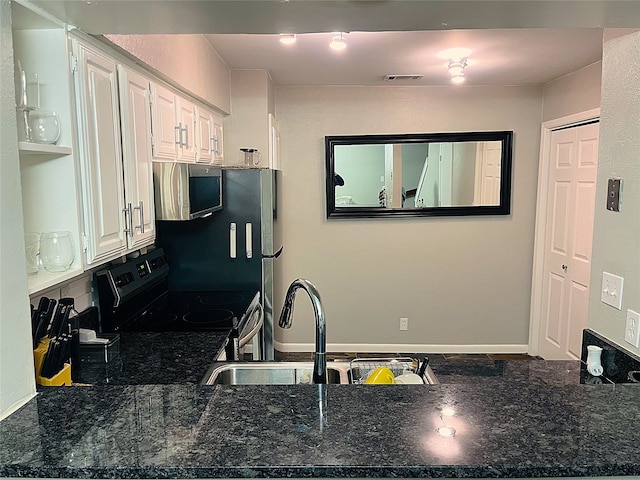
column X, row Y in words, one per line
column 124, row 281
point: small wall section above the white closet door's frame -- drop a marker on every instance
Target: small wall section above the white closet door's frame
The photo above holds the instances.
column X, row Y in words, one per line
column 576, row 92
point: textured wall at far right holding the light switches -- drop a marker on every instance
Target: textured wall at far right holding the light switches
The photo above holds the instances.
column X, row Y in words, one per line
column 616, row 241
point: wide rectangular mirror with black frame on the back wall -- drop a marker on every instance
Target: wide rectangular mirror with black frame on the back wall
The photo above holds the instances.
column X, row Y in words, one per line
column 425, row 174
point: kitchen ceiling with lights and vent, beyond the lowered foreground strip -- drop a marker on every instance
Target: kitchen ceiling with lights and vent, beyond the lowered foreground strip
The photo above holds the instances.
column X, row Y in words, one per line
column 499, row 57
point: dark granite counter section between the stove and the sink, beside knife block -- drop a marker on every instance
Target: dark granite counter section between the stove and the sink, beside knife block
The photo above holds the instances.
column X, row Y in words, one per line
column 157, row 358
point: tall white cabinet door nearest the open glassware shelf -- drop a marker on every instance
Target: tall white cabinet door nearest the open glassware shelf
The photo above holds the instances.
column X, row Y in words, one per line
column 100, row 153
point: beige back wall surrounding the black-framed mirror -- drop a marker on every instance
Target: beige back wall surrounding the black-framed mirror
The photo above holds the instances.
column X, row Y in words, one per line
column 464, row 283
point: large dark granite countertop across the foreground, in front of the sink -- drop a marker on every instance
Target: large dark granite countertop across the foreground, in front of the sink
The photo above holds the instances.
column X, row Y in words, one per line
column 505, row 427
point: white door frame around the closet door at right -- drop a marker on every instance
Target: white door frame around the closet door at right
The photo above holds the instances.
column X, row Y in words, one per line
column 537, row 280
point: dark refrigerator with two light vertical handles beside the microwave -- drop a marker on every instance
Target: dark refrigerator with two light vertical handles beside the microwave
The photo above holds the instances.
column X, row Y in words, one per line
column 236, row 248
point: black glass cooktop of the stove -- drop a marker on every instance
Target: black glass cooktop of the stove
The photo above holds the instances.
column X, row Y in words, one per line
column 192, row 311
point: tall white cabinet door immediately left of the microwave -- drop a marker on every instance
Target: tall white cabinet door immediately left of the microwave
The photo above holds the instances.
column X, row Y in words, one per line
column 136, row 153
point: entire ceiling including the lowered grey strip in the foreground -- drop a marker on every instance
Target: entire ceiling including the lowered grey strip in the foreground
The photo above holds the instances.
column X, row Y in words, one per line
column 513, row 42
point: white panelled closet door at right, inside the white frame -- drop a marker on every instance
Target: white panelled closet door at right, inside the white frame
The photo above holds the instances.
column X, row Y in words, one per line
column 569, row 235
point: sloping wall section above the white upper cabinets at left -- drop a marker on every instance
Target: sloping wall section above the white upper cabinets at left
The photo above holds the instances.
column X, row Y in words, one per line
column 188, row 60
